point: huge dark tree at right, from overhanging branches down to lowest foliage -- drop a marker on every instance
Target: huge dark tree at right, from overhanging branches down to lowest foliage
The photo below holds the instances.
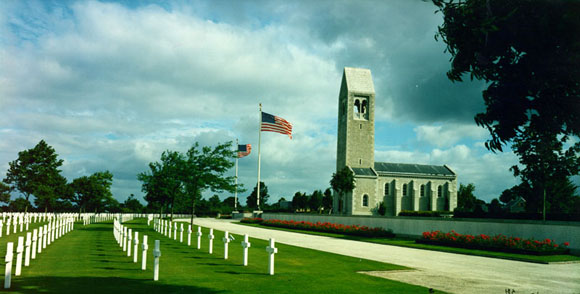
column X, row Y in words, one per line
column 533, row 95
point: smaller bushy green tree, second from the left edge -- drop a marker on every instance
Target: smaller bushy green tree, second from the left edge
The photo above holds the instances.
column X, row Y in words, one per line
column 93, row 193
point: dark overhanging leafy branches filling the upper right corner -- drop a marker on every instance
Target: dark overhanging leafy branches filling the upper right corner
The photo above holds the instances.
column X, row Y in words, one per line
column 528, row 51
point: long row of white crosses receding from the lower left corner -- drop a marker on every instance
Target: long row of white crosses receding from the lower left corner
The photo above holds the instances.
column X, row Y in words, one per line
column 35, row 243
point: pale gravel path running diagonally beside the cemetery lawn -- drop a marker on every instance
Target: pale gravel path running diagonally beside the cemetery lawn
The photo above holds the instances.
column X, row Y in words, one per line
column 454, row 273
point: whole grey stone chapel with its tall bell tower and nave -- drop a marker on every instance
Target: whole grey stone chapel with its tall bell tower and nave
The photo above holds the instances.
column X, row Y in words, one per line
column 401, row 186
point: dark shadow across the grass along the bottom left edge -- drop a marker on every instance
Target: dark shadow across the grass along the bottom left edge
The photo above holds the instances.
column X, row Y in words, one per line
column 100, row 285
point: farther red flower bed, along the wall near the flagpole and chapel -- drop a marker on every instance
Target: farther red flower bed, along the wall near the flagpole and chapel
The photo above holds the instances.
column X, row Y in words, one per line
column 355, row 230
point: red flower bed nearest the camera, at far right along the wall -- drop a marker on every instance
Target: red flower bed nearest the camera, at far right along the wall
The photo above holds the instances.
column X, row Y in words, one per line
column 495, row 243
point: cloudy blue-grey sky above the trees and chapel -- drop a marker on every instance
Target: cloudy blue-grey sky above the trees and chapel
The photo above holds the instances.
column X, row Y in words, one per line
column 111, row 85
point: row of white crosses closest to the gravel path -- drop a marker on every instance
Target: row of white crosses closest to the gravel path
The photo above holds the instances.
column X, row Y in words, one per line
column 164, row 227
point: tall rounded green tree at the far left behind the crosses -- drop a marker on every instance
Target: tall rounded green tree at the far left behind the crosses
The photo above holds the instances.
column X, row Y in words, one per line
column 35, row 172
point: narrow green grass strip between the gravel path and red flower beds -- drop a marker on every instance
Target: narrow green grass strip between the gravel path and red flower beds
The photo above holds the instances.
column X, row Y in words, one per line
column 407, row 242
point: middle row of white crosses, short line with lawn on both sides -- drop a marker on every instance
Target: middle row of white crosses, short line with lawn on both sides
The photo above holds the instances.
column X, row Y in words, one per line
column 127, row 239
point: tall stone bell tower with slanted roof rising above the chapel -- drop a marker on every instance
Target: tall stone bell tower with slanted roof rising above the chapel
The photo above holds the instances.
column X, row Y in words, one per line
column 356, row 120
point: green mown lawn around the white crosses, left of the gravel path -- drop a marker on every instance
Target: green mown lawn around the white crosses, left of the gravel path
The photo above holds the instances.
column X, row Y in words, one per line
column 88, row 260
